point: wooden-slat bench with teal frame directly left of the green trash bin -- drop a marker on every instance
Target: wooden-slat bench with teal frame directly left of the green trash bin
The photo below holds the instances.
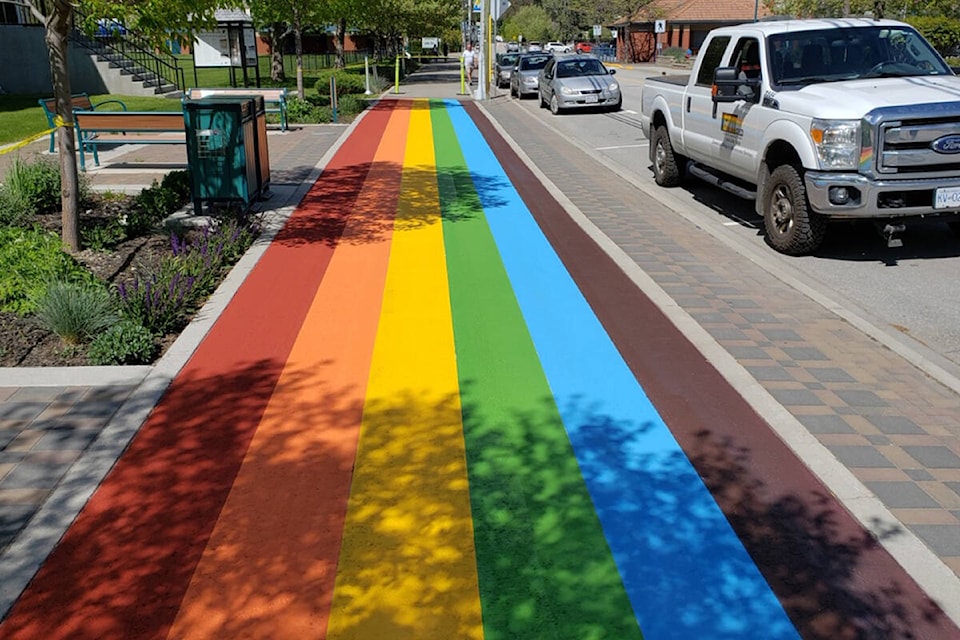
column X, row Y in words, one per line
column 97, row 128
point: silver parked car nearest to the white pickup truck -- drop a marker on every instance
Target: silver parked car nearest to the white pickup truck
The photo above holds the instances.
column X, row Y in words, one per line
column 577, row 82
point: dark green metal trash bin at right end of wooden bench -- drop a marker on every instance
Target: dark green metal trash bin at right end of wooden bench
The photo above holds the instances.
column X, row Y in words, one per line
column 222, row 150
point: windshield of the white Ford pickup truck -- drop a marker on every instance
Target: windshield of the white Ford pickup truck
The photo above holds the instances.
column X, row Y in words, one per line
column 830, row 55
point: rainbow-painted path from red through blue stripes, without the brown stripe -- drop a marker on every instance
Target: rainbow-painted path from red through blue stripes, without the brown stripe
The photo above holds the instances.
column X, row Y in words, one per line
column 409, row 423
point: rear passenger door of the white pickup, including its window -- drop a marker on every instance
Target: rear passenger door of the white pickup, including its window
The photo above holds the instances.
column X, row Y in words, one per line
column 700, row 127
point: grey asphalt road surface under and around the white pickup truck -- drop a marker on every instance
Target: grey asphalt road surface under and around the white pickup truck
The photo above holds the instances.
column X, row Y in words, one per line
column 911, row 293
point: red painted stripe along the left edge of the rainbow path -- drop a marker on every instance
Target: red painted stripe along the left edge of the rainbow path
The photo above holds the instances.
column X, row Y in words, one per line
column 122, row 568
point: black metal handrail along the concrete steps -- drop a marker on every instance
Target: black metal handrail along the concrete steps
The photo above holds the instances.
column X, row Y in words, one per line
column 114, row 38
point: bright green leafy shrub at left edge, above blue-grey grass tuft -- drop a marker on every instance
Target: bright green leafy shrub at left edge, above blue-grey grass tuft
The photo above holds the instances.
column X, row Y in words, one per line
column 29, row 259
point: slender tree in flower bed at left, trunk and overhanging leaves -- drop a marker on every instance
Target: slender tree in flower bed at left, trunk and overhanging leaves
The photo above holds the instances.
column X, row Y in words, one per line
column 156, row 20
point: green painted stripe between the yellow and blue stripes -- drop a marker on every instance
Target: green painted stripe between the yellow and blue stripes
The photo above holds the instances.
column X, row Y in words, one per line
column 541, row 554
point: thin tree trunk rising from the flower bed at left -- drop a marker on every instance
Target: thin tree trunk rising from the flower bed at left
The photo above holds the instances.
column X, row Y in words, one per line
column 57, row 29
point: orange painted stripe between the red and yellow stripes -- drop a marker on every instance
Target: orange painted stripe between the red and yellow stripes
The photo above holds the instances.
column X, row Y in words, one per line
column 268, row 570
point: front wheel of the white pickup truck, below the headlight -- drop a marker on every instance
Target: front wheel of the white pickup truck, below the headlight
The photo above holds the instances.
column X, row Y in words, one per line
column 791, row 227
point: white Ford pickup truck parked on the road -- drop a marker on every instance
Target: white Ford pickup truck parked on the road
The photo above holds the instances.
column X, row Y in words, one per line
column 816, row 120
